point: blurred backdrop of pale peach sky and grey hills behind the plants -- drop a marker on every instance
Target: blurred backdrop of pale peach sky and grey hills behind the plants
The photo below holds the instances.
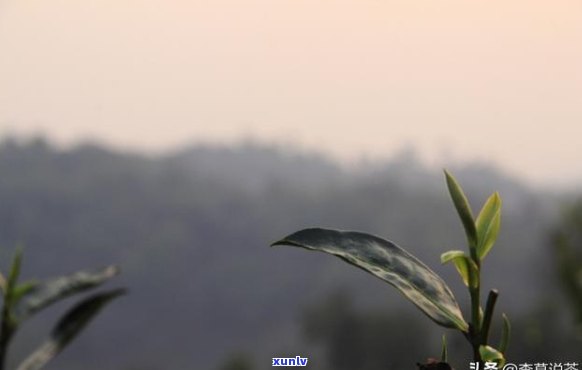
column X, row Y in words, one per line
column 179, row 139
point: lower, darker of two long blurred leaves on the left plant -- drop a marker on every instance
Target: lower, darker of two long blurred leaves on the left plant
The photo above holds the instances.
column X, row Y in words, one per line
column 70, row 325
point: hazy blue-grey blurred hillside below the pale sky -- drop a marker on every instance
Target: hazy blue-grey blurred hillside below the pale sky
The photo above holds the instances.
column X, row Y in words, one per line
column 191, row 230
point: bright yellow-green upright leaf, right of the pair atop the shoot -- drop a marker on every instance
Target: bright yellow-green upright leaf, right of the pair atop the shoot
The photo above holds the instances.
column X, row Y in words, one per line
column 488, row 223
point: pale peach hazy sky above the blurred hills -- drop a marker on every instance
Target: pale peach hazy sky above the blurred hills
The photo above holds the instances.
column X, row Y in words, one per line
column 496, row 80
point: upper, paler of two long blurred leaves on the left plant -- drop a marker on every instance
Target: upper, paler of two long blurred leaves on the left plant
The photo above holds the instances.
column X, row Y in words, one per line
column 51, row 291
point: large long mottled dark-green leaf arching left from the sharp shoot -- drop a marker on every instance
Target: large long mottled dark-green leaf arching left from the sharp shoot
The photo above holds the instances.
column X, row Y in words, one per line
column 390, row 263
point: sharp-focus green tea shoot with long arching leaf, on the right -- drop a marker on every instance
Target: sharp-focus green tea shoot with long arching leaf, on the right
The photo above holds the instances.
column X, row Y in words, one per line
column 417, row 282
